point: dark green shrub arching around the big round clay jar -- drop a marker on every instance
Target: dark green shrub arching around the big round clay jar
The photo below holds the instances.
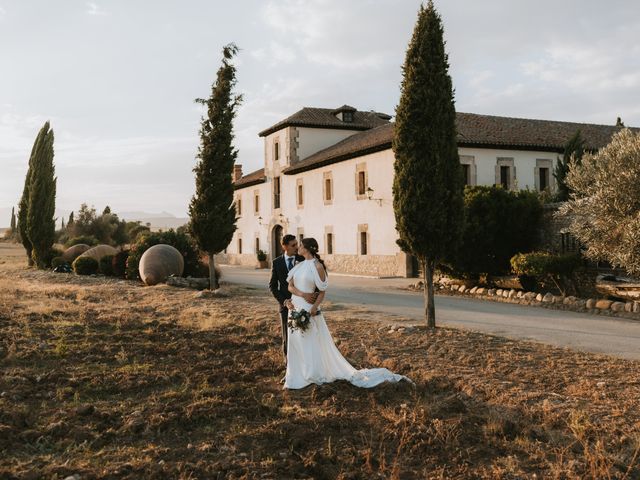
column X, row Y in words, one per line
column 181, row 241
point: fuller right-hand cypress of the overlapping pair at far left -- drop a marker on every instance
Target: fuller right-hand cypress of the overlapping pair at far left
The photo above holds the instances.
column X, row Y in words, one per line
column 41, row 223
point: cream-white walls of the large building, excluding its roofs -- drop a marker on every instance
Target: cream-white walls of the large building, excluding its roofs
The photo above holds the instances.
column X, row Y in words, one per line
column 348, row 219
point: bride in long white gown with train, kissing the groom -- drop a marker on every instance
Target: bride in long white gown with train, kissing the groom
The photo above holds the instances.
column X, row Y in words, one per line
column 312, row 357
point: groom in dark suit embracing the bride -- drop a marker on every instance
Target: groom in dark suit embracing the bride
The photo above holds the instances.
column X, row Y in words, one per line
column 278, row 284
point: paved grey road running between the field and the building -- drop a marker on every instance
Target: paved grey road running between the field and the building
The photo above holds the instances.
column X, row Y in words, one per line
column 594, row 333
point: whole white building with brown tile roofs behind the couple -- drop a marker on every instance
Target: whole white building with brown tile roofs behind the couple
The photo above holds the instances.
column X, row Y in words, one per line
column 328, row 174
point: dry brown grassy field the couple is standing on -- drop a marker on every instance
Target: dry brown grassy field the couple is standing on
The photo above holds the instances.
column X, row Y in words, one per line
column 108, row 379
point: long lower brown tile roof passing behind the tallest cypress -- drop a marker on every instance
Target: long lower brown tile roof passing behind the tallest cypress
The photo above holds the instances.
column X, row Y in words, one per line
column 474, row 130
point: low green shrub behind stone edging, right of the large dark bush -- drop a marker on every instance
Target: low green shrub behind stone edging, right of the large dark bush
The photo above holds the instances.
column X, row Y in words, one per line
column 537, row 268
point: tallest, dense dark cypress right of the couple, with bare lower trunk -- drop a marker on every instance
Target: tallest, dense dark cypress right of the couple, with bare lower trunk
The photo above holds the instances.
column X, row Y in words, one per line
column 428, row 183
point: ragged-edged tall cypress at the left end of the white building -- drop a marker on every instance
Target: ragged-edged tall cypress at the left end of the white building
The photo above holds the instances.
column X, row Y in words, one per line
column 212, row 211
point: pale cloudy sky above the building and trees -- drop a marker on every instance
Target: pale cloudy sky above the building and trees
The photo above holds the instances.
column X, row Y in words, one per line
column 118, row 79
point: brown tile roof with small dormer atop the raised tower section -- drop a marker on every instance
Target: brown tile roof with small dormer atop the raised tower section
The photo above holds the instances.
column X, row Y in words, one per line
column 326, row 118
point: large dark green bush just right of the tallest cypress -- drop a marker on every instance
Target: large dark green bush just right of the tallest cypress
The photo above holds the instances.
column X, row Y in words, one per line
column 498, row 224
